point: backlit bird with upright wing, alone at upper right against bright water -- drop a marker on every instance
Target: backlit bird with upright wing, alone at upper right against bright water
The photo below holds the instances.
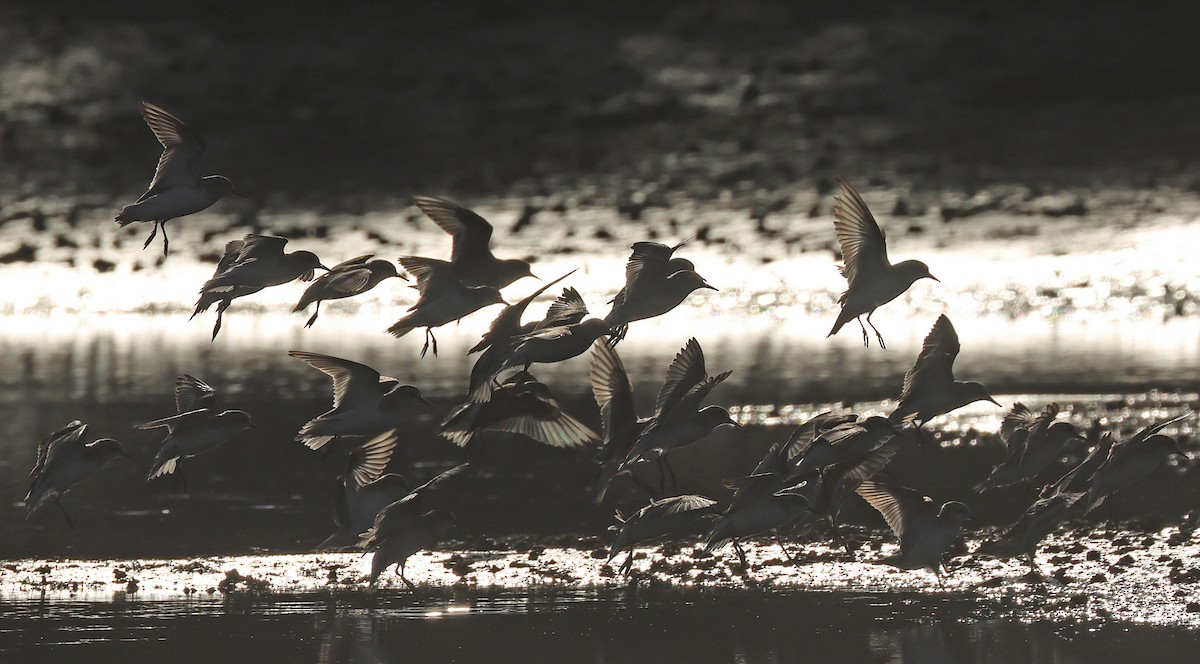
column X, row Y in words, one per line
column 873, row 280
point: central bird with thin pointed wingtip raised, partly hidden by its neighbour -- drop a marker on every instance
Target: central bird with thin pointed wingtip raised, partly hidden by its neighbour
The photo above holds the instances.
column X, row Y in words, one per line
column 502, row 337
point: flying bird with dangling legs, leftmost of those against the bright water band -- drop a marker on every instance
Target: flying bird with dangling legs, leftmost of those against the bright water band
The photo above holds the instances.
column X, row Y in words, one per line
column 249, row 266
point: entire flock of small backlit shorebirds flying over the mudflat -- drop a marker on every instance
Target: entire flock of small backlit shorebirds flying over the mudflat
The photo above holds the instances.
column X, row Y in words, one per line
column 802, row 482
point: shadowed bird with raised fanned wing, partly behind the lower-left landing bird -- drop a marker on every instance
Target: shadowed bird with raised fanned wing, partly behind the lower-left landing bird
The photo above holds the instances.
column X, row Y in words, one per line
column 363, row 490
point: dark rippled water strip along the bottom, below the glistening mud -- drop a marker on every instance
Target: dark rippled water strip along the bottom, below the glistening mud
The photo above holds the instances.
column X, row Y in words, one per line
column 579, row 626
